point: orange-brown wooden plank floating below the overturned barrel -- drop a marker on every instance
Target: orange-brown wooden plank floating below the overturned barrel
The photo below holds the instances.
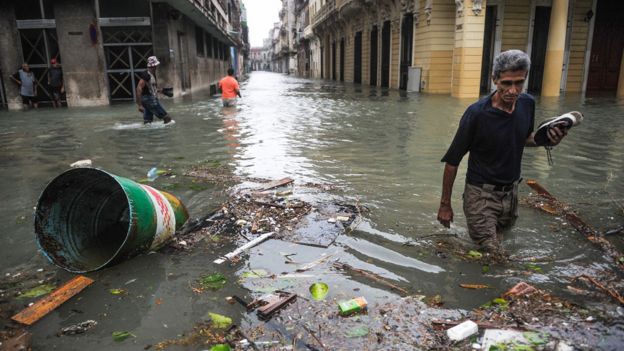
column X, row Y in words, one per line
column 47, row 304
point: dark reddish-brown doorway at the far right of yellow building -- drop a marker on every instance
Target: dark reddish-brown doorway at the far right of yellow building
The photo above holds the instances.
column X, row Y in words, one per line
column 607, row 46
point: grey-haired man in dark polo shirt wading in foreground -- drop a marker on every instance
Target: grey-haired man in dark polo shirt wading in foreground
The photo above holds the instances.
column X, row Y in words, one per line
column 495, row 130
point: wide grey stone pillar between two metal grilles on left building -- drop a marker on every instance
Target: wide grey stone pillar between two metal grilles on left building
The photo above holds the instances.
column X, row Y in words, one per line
column 84, row 66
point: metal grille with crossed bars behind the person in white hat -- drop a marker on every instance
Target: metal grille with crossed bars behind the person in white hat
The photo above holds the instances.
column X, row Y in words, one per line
column 126, row 50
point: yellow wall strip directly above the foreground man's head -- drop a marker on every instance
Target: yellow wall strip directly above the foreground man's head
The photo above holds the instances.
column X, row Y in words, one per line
column 516, row 17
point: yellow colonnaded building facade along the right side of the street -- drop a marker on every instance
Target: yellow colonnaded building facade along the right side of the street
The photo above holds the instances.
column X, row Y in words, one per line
column 448, row 46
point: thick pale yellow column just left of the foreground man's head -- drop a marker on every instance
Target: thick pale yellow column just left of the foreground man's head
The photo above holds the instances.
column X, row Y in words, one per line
column 468, row 52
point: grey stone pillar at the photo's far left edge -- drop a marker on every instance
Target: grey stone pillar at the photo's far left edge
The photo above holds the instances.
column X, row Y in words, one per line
column 11, row 57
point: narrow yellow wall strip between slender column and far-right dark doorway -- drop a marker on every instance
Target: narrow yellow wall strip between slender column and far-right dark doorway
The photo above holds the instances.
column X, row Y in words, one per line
column 578, row 45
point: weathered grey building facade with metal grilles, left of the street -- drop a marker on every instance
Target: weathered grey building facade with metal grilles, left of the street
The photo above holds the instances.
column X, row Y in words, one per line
column 103, row 45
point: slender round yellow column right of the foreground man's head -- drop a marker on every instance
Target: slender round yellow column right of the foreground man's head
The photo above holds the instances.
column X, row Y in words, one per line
column 553, row 64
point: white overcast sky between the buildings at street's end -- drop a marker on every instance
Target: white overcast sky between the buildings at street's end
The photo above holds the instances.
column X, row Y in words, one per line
column 261, row 14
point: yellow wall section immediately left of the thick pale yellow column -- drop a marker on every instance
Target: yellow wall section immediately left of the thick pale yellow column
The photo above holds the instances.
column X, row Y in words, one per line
column 433, row 46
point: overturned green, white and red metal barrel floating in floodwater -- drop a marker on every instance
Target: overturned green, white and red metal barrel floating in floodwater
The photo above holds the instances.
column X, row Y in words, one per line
column 87, row 219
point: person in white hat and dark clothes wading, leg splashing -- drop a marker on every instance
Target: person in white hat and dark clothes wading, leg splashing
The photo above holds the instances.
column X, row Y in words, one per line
column 147, row 94
